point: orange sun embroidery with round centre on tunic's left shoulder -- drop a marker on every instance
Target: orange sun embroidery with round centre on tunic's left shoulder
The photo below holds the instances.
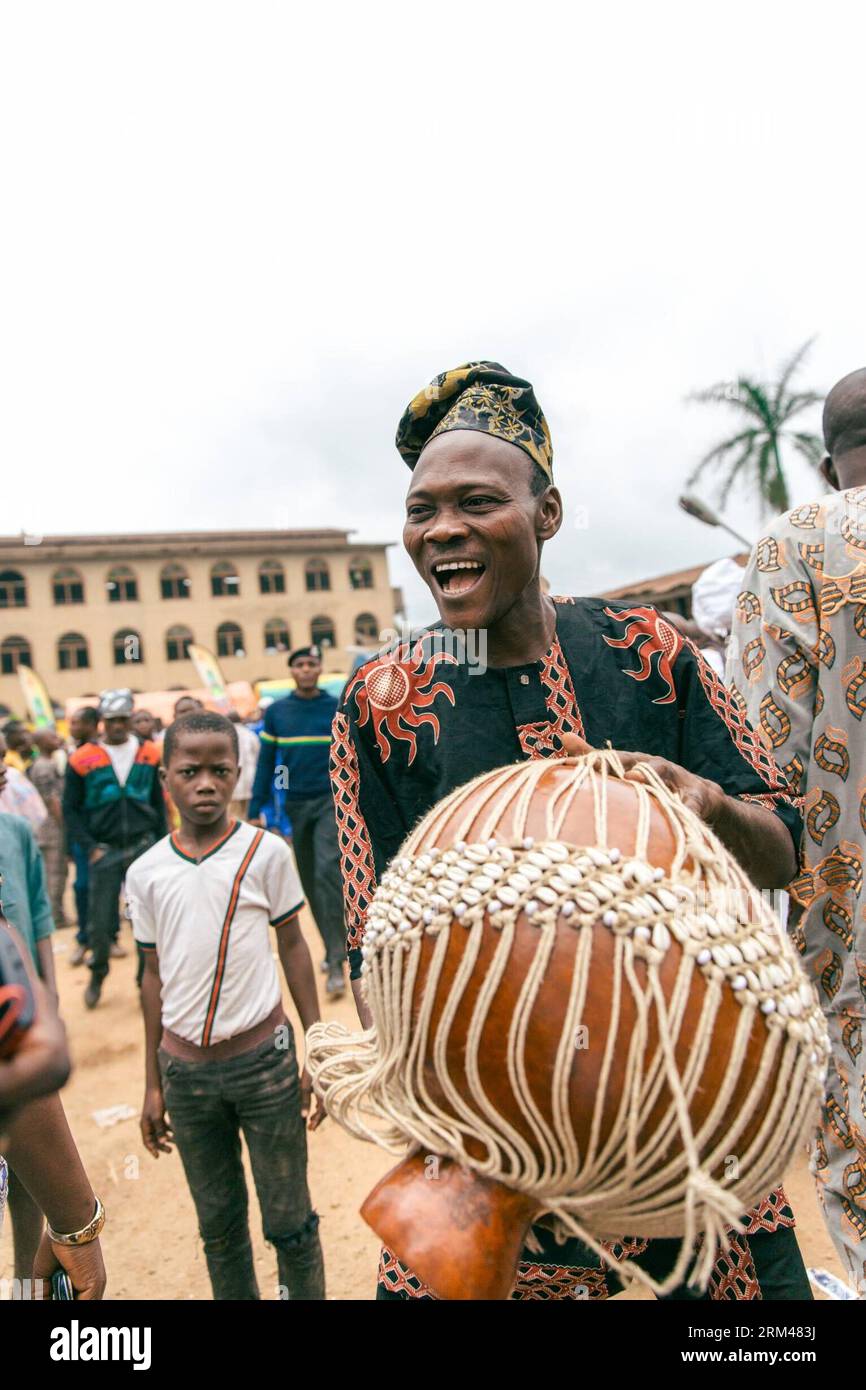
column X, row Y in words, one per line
column 395, row 696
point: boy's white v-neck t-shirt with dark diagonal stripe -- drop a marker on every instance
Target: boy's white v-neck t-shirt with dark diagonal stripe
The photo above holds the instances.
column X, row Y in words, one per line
column 209, row 922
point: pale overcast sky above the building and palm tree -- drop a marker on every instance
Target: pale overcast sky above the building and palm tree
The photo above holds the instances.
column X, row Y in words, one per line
column 241, row 237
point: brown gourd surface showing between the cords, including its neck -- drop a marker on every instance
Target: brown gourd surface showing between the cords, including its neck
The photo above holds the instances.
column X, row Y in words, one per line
column 462, row 1232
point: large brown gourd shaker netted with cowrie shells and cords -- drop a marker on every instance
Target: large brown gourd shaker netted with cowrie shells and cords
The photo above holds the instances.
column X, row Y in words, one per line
column 583, row 1011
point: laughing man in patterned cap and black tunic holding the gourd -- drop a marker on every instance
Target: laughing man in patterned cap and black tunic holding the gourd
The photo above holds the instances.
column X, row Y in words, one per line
column 529, row 678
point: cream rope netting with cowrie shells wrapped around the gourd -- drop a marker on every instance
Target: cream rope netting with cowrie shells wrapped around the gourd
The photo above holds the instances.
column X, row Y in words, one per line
column 626, row 1179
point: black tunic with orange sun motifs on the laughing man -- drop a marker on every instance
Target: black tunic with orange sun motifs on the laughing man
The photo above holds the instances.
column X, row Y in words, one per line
column 422, row 721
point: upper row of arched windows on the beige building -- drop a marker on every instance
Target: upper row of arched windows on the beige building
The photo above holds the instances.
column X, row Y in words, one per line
column 123, row 586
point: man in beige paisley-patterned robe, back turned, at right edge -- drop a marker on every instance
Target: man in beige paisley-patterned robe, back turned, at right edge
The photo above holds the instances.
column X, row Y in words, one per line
column 799, row 664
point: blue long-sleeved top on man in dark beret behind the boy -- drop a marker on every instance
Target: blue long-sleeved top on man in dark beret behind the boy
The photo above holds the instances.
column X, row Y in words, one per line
column 297, row 743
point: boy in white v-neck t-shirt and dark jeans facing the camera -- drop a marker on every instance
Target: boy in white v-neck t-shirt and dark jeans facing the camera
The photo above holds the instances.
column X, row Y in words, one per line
column 220, row 1054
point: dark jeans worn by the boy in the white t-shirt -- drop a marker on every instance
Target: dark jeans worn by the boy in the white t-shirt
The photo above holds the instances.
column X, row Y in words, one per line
column 209, row 1104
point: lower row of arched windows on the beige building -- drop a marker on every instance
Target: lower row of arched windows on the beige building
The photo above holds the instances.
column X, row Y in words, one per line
column 74, row 654
